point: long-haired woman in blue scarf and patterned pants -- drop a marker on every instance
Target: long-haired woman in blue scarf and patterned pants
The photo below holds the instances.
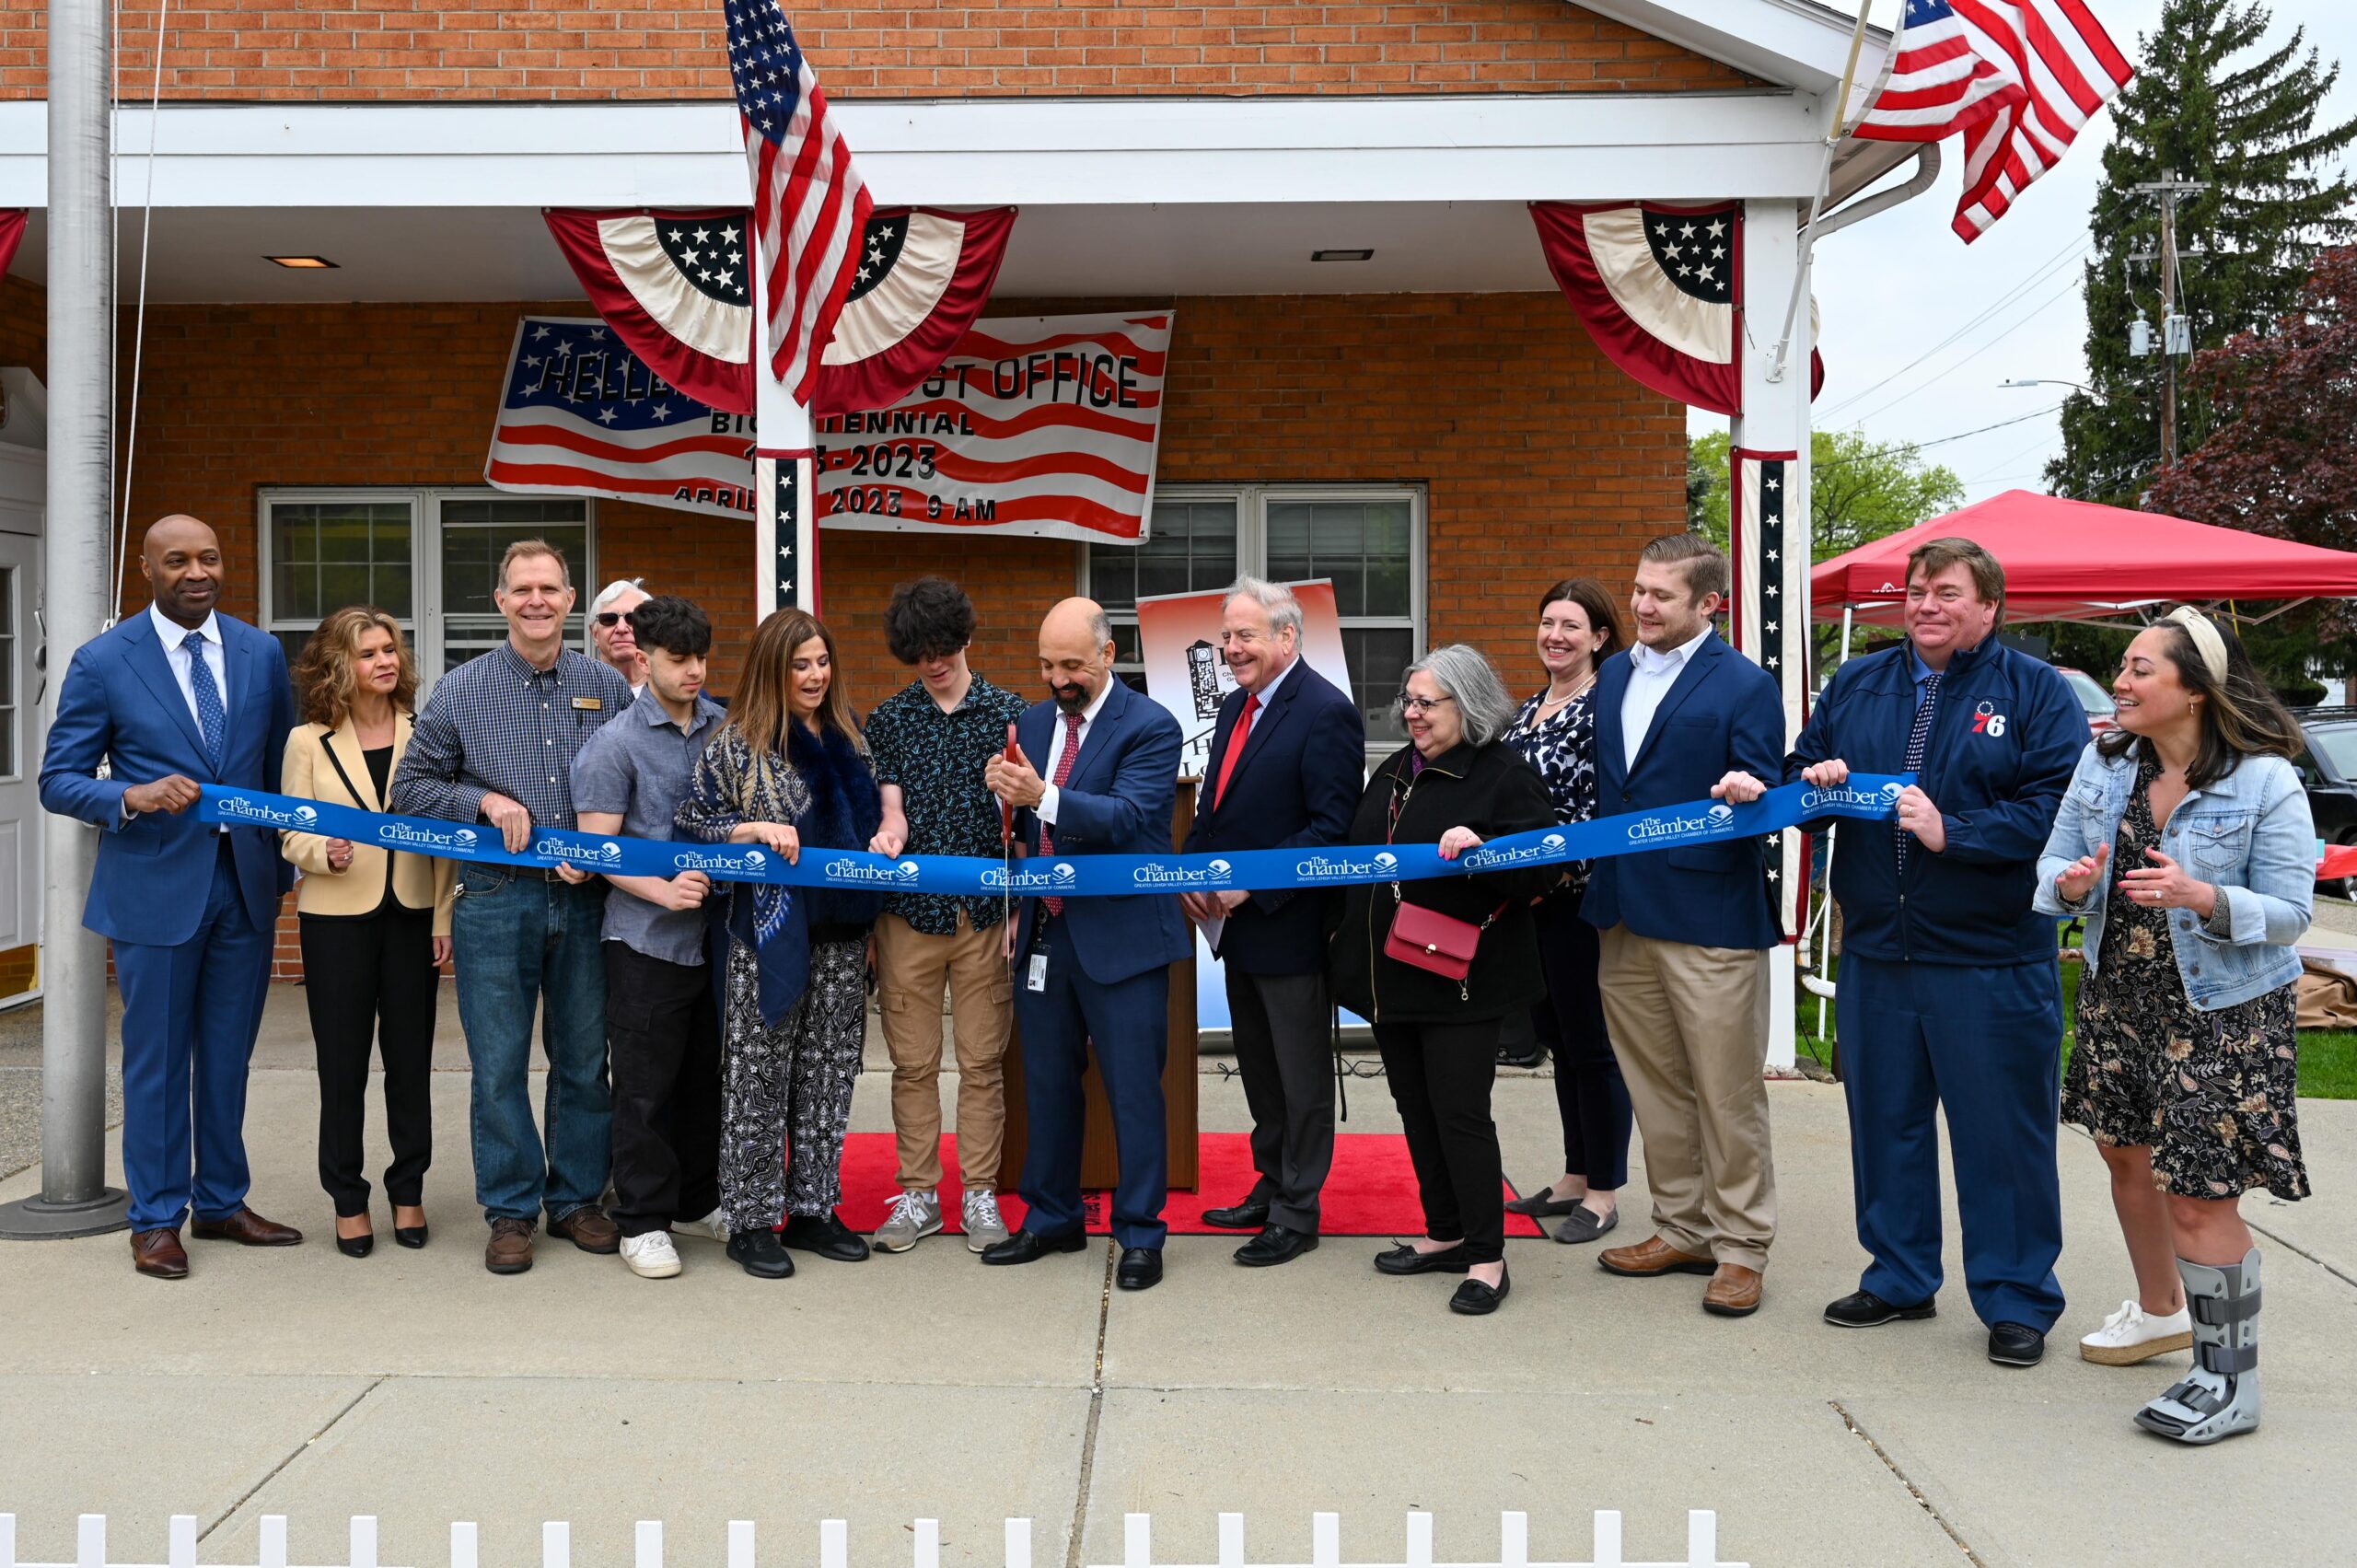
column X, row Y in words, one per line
column 788, row 772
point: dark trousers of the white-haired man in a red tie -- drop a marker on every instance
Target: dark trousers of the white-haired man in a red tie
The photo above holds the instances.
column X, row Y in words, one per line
column 1283, row 1050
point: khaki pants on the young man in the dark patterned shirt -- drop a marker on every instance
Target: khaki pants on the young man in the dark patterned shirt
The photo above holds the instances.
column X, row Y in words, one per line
column 911, row 975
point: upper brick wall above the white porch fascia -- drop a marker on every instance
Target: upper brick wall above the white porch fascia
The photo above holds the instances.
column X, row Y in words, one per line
column 869, row 48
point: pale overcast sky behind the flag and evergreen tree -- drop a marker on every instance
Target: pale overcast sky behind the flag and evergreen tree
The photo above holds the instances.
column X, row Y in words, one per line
column 1899, row 284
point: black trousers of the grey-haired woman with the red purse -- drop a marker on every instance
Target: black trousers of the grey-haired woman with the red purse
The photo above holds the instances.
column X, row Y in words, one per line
column 1441, row 1081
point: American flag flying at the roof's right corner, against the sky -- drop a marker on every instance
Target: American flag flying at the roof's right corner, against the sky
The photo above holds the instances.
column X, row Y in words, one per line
column 2014, row 77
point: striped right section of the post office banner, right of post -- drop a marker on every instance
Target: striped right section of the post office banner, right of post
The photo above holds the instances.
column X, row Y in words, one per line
column 1043, row 426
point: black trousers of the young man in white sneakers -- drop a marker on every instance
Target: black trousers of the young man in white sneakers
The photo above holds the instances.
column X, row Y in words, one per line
column 666, row 1036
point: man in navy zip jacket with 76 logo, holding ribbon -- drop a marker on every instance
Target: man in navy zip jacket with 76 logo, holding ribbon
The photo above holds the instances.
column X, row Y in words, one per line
column 1948, row 980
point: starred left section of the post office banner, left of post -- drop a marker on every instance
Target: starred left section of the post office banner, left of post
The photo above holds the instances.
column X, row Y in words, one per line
column 586, row 416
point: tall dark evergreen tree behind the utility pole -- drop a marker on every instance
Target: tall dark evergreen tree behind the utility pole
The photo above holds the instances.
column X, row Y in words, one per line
column 2214, row 103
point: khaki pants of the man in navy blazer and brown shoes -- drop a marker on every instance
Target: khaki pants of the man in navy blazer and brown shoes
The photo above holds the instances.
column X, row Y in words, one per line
column 1691, row 1034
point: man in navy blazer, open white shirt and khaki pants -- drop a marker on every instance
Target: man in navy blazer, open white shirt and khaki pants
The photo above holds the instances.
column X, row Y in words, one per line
column 1686, row 933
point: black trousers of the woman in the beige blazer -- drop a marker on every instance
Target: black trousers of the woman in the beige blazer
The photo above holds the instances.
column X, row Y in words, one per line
column 374, row 982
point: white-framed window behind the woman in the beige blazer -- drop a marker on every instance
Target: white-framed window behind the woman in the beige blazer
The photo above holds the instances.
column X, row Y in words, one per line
column 425, row 558
